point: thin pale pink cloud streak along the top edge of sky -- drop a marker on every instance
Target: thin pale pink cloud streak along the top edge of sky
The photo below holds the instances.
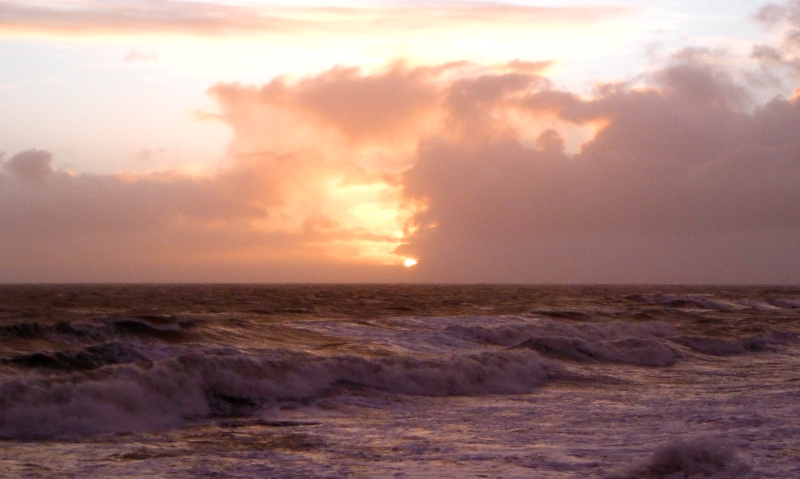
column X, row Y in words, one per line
column 204, row 18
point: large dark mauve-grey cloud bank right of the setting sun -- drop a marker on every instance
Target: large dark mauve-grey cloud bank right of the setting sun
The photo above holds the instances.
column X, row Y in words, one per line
column 682, row 170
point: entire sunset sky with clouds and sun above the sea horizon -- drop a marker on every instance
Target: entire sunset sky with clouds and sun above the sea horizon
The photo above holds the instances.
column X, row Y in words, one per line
column 370, row 141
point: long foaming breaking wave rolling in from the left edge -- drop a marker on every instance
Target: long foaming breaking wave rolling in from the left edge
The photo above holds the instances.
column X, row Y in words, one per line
column 152, row 395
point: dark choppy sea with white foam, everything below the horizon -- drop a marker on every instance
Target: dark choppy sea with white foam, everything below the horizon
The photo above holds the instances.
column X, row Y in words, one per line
column 307, row 381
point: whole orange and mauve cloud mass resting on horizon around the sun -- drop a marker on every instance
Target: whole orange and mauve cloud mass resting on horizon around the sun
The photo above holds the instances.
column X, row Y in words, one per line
column 481, row 172
